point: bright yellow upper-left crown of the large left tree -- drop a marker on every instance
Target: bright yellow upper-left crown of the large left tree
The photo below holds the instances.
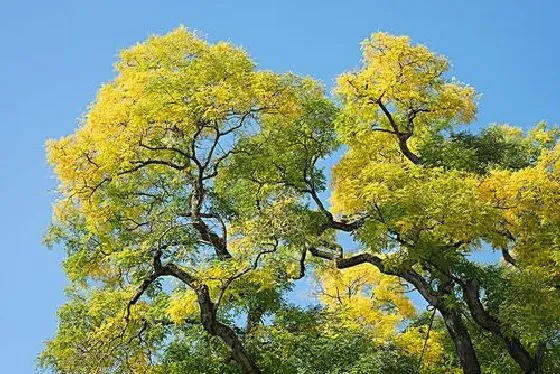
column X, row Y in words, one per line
column 165, row 90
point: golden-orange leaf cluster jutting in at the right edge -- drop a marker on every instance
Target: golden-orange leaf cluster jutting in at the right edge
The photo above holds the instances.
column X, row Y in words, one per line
column 528, row 202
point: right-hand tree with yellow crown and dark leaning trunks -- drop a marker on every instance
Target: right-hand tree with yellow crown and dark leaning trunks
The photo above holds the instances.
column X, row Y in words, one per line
column 430, row 217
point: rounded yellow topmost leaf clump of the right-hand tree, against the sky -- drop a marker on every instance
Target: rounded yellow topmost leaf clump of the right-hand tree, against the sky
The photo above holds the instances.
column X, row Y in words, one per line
column 407, row 80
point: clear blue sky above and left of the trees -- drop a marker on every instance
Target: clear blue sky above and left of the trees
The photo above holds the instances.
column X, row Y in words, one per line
column 55, row 54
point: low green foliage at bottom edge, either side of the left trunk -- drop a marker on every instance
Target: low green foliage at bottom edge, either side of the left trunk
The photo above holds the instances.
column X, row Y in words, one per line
column 297, row 341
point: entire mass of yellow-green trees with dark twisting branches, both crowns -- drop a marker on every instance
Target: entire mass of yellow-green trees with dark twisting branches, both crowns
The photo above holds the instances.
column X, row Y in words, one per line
column 191, row 199
